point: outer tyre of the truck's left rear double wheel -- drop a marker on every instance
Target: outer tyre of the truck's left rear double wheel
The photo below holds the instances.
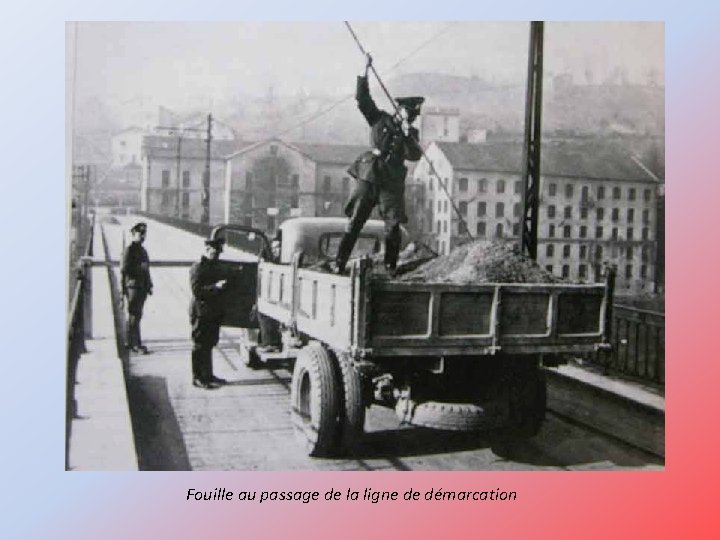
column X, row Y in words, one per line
column 315, row 400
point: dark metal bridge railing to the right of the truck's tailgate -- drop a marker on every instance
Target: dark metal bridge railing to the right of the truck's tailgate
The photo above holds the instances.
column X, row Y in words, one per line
column 638, row 345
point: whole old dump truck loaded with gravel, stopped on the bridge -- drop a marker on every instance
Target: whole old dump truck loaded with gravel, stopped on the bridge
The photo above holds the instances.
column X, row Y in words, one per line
column 442, row 355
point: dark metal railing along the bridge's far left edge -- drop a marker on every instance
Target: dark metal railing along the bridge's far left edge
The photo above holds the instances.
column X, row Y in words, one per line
column 79, row 327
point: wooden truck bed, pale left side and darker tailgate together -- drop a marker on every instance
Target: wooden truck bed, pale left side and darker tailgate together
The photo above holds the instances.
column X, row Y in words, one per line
column 386, row 318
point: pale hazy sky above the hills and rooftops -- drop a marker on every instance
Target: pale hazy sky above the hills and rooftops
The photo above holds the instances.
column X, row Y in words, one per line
column 177, row 62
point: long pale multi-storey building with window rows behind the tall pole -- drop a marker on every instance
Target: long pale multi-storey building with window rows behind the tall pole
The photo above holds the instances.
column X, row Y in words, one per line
column 597, row 206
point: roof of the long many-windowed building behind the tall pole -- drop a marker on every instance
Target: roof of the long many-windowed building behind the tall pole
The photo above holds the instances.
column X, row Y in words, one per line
column 558, row 158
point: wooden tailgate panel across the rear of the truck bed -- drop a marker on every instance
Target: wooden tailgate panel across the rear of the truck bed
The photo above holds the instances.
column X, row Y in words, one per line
column 440, row 318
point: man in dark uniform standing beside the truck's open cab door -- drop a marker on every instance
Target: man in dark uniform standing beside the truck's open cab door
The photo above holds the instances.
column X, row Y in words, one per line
column 206, row 313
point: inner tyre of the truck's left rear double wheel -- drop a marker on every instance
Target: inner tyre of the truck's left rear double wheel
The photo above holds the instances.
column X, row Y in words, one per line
column 352, row 415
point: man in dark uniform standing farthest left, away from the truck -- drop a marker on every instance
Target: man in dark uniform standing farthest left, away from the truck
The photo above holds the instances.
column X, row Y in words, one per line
column 136, row 285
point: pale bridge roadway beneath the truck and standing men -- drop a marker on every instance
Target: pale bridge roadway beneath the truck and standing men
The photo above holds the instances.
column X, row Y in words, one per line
column 245, row 425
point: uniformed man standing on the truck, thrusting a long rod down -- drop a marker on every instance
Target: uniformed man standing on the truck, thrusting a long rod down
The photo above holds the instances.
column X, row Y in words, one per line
column 380, row 172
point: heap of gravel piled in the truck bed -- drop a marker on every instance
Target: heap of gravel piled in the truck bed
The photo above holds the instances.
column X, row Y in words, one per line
column 480, row 261
